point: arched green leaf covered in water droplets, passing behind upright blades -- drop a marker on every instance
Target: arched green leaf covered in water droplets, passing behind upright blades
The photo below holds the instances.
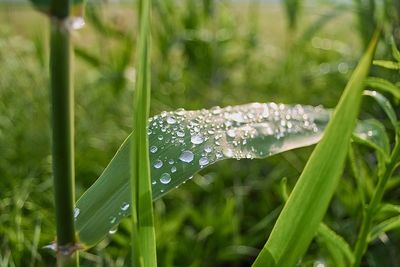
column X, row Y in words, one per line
column 185, row 142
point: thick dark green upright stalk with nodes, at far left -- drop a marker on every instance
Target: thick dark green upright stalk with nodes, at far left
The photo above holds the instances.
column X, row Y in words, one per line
column 62, row 118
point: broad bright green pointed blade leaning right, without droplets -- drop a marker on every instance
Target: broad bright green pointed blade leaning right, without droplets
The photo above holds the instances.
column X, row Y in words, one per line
column 307, row 204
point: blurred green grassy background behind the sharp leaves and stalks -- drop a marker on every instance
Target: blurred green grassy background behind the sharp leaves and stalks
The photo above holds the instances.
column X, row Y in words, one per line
column 204, row 53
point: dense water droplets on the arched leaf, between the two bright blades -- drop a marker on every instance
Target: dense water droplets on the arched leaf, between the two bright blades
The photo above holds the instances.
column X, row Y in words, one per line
column 194, row 139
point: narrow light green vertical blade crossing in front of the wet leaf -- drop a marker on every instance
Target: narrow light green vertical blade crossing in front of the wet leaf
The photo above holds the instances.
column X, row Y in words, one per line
column 143, row 235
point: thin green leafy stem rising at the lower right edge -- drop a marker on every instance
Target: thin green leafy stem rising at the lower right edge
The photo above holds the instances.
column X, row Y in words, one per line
column 371, row 209
